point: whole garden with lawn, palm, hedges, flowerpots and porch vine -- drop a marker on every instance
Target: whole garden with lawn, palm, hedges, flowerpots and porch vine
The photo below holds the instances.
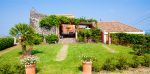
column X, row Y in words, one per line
column 37, row 53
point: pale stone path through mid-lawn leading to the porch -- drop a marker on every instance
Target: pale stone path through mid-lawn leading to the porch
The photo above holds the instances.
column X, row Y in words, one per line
column 62, row 53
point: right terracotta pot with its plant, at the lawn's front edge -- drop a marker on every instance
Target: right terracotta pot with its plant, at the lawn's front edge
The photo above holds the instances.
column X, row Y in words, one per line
column 87, row 64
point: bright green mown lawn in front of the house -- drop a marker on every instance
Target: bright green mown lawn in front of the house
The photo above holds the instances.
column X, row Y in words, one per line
column 72, row 63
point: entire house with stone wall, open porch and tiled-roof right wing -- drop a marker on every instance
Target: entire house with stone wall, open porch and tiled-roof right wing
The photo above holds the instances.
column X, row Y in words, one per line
column 70, row 30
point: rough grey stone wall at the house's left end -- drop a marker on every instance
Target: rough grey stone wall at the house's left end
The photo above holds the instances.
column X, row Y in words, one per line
column 35, row 18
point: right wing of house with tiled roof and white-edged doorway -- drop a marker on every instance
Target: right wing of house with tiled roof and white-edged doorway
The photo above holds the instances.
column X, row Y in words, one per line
column 115, row 27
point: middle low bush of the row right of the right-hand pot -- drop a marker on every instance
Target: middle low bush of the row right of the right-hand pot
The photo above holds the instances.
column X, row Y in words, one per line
column 122, row 63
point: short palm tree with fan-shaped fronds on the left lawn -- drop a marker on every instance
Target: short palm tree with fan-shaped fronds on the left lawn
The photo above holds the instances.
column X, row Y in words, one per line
column 25, row 33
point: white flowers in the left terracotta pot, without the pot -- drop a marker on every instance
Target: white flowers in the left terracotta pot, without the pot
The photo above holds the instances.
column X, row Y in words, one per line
column 28, row 60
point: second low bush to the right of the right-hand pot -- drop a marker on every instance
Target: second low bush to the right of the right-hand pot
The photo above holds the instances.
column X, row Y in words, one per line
column 109, row 64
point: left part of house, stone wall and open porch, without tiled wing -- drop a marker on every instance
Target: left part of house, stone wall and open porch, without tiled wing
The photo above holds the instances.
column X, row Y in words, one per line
column 65, row 30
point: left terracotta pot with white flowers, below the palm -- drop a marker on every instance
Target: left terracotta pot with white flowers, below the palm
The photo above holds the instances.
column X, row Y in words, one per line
column 29, row 62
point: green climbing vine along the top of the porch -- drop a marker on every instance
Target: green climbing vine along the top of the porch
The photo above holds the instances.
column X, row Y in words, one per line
column 54, row 20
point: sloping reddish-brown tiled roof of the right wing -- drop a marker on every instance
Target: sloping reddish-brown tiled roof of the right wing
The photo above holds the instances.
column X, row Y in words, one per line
column 117, row 27
